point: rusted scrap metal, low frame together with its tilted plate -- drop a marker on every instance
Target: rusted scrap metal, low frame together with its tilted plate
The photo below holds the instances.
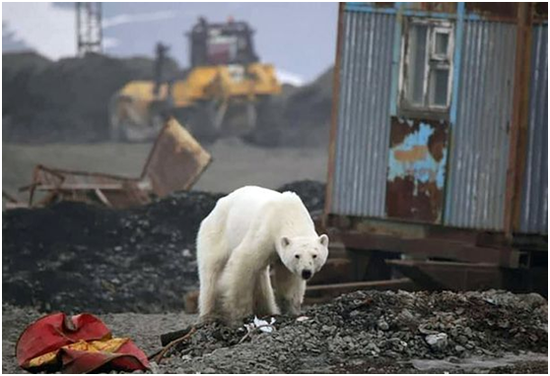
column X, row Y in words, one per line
column 175, row 163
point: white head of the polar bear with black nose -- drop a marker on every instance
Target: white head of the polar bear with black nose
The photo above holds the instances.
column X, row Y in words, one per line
column 304, row 256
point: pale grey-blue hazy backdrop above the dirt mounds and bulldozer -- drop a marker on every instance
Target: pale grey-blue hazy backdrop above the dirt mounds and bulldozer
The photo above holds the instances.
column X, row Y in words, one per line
column 298, row 38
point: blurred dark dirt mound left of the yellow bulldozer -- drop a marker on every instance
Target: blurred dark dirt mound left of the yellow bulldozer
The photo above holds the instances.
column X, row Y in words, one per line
column 66, row 100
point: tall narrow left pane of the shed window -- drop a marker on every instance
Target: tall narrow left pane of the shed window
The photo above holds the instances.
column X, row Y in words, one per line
column 416, row 73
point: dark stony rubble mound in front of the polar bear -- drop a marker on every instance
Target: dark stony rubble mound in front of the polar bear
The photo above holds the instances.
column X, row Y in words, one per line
column 368, row 327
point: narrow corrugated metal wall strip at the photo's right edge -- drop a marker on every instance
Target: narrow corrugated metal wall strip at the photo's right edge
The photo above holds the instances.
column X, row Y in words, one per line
column 534, row 212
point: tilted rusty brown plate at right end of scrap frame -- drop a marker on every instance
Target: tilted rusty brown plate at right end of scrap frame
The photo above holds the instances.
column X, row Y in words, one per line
column 176, row 160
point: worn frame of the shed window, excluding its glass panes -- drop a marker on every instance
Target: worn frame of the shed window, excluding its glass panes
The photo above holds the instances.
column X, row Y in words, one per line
column 432, row 62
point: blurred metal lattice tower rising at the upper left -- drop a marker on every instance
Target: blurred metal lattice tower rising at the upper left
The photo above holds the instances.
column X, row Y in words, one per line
column 88, row 28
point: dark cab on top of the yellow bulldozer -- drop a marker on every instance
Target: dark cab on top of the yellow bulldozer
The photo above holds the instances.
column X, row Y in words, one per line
column 221, row 44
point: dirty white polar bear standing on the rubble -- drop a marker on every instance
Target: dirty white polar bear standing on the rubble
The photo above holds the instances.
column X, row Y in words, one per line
column 248, row 231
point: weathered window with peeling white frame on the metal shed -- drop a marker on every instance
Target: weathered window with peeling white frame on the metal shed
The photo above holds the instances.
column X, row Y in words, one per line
column 426, row 71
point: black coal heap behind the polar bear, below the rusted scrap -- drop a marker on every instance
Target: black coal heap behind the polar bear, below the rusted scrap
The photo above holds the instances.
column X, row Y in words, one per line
column 75, row 257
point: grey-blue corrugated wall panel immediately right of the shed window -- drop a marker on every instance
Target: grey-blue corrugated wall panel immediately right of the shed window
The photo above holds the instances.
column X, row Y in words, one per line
column 479, row 147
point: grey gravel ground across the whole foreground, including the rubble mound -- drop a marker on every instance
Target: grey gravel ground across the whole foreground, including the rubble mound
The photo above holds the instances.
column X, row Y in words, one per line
column 365, row 331
